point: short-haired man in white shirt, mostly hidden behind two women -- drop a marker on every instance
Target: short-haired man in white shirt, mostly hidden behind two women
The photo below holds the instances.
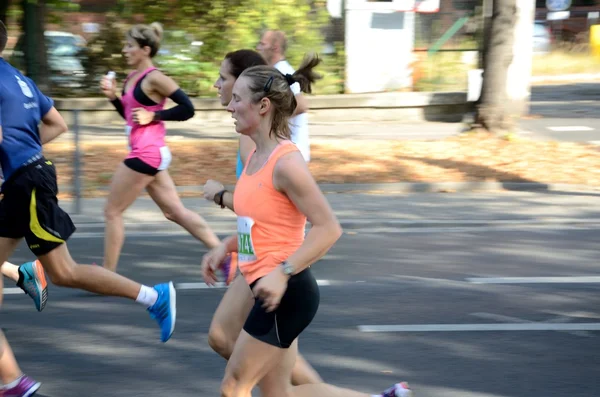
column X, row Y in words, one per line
column 272, row 47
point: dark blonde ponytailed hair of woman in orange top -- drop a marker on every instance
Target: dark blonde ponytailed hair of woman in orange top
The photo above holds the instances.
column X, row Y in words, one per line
column 268, row 82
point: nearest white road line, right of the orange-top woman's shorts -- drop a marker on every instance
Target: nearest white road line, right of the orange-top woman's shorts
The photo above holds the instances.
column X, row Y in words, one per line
column 480, row 327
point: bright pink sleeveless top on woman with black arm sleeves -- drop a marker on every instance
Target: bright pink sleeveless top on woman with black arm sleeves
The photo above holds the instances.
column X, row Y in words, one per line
column 146, row 142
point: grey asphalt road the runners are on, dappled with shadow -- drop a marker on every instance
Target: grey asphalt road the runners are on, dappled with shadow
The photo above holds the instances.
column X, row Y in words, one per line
column 86, row 345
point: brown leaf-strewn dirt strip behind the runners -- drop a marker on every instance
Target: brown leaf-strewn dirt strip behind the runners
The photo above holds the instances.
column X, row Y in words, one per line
column 474, row 157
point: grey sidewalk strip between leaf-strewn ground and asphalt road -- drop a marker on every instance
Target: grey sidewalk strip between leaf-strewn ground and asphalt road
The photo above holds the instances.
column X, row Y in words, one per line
column 357, row 211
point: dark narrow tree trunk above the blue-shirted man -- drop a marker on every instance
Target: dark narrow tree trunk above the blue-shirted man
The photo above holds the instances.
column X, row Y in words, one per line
column 36, row 60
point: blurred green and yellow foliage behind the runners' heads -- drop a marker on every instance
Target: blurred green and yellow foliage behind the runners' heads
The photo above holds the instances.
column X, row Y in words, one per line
column 221, row 26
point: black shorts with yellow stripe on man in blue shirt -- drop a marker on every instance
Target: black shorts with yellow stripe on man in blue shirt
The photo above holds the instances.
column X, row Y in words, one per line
column 29, row 208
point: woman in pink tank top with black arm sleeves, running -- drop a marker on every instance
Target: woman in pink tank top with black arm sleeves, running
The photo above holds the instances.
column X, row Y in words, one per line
column 144, row 94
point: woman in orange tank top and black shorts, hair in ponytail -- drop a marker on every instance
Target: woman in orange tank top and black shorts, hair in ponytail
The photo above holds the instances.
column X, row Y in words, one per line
column 273, row 199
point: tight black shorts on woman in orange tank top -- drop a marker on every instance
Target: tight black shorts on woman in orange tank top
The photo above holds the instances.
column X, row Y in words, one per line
column 295, row 312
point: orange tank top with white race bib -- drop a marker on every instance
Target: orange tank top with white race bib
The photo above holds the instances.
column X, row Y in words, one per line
column 270, row 227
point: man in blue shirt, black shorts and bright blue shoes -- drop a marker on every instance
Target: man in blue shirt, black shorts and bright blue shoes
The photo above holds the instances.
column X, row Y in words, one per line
column 29, row 209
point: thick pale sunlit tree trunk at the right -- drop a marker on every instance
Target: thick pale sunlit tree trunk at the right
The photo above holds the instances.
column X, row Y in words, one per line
column 492, row 112
